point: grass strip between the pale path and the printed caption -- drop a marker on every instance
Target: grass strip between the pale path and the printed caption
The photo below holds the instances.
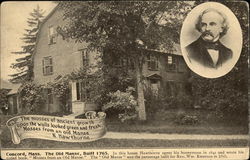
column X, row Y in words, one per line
column 123, row 143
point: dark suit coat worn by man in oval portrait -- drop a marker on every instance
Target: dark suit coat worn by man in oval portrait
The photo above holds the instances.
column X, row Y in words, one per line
column 197, row 51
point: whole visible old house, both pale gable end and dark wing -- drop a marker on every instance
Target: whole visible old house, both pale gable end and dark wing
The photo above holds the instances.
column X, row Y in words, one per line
column 56, row 56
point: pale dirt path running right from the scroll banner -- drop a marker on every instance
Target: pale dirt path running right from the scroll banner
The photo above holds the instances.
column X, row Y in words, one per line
column 124, row 135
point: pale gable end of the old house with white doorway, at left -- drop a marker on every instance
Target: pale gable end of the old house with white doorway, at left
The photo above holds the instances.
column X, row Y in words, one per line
column 55, row 57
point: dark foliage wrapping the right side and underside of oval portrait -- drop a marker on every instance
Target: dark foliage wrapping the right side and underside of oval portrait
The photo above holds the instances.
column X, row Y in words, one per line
column 227, row 95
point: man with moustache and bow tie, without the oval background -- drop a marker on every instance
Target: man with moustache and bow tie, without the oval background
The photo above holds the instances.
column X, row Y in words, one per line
column 207, row 49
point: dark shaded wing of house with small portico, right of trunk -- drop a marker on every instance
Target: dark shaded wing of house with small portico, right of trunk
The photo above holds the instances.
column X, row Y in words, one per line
column 165, row 71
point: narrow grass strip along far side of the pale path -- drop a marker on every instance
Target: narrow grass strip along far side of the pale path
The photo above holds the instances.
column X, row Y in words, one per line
column 162, row 127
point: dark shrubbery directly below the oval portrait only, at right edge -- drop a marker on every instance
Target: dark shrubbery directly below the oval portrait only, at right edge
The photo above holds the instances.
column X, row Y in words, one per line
column 225, row 96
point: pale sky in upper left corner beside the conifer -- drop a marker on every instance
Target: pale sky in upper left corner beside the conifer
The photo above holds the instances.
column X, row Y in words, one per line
column 13, row 22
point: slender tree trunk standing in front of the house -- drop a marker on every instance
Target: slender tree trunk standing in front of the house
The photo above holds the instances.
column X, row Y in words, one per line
column 140, row 92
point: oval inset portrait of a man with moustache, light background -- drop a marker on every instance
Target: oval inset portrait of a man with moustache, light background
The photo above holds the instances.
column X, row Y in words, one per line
column 211, row 40
